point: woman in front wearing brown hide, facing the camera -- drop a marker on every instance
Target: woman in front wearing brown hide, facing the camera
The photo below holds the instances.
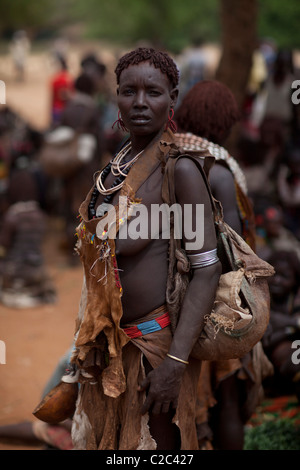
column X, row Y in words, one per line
column 149, row 380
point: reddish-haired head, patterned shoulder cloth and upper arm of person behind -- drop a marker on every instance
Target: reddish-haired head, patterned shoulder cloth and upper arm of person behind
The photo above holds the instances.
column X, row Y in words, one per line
column 205, row 119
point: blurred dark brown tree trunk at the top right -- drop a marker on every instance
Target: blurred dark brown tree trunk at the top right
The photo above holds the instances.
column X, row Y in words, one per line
column 239, row 40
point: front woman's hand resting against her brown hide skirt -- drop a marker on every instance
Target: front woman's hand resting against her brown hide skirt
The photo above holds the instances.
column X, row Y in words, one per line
column 163, row 385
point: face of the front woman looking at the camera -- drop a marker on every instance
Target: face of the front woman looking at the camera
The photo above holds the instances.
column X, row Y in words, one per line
column 145, row 97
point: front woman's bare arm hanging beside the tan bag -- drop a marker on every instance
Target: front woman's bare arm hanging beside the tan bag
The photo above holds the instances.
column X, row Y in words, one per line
column 198, row 237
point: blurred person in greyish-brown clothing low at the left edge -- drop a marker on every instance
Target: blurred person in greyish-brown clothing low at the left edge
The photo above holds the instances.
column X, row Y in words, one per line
column 23, row 275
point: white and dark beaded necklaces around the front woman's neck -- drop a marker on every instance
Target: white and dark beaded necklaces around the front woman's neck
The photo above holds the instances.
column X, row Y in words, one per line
column 117, row 168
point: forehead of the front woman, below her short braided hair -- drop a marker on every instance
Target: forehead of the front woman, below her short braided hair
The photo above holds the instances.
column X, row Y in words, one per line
column 145, row 72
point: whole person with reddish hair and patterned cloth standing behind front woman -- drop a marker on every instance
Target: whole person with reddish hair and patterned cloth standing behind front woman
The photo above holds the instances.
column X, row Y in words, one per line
column 228, row 390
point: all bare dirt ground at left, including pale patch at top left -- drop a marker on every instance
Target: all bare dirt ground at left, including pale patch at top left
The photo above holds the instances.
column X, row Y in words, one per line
column 35, row 338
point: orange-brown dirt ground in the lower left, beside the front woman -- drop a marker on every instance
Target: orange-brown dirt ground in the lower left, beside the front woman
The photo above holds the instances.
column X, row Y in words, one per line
column 35, row 339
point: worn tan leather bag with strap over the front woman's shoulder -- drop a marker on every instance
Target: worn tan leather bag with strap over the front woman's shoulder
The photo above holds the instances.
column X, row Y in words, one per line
column 241, row 308
